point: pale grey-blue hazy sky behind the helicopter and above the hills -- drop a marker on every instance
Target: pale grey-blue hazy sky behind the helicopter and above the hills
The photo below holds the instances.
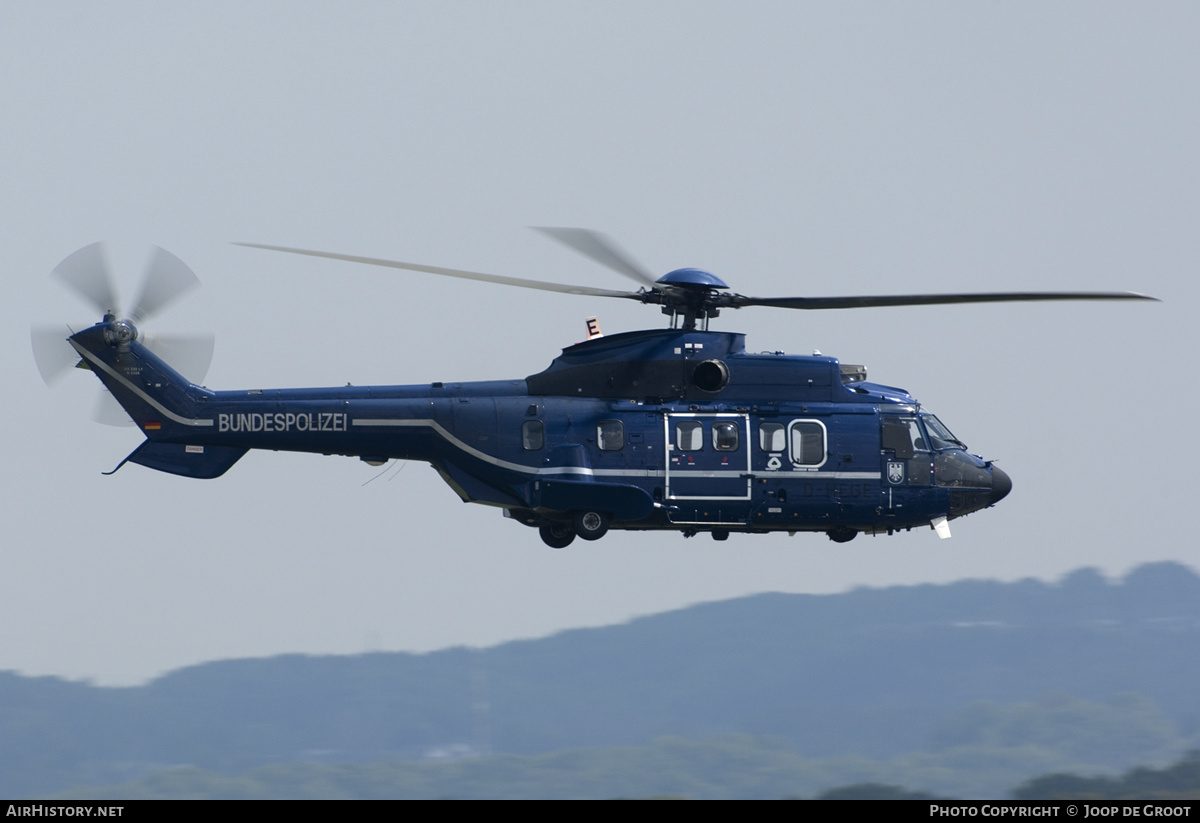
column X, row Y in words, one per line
column 791, row 148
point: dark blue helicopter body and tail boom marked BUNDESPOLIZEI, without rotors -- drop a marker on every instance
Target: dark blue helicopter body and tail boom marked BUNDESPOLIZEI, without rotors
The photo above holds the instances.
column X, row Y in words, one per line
column 655, row 430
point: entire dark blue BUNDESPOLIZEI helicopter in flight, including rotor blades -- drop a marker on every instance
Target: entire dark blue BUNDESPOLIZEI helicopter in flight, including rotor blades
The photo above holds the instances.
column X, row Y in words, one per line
column 679, row 429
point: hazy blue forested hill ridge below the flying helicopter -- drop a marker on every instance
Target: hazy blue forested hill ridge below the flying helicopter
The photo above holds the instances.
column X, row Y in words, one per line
column 872, row 672
